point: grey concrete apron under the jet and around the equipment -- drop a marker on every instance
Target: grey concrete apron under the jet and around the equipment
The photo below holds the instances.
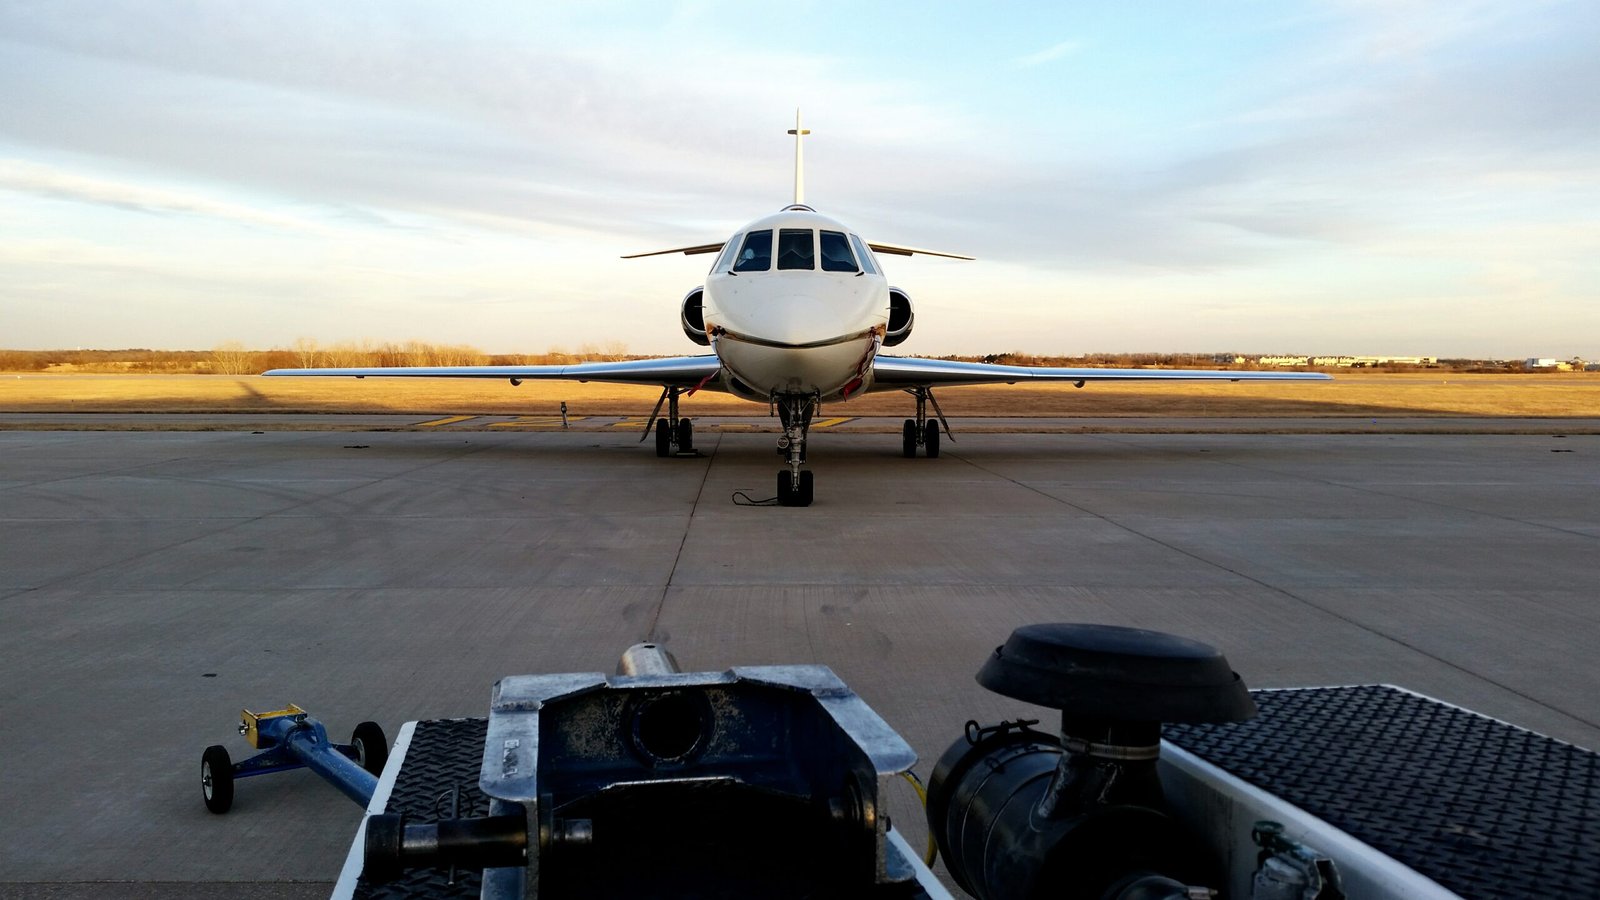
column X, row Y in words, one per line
column 156, row 582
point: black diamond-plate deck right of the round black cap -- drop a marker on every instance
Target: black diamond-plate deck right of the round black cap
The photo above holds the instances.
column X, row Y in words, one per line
column 1482, row 808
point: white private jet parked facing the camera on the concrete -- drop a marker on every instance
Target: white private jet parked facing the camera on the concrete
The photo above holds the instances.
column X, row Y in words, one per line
column 796, row 310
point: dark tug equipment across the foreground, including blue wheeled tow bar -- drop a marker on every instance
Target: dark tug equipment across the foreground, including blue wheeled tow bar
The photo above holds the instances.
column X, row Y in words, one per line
column 1166, row 781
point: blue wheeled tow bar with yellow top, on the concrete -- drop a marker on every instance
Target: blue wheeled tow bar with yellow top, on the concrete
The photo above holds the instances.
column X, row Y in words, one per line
column 290, row 739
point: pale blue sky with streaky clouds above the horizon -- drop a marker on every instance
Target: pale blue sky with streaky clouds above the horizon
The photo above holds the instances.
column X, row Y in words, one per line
column 1337, row 177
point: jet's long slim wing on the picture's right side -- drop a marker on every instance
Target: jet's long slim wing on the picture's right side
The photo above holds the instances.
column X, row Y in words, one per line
column 895, row 372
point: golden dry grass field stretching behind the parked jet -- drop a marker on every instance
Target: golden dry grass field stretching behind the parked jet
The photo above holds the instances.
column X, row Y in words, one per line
column 1351, row 395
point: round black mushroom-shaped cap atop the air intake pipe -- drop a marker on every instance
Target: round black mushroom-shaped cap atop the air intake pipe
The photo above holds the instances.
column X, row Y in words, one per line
column 1126, row 675
